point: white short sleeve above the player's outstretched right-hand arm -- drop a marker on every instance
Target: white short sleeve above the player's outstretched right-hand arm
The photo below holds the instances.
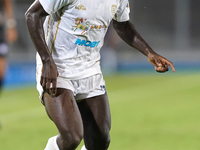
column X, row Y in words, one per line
column 122, row 13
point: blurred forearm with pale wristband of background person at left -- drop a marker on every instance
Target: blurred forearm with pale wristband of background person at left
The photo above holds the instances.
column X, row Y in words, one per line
column 11, row 32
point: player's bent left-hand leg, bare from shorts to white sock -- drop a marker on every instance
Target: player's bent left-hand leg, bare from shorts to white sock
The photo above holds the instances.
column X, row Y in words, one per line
column 63, row 111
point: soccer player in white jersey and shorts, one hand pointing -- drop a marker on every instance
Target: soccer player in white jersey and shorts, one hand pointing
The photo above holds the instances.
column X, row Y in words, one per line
column 69, row 78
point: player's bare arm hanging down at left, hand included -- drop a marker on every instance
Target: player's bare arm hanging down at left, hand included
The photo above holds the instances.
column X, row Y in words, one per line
column 34, row 20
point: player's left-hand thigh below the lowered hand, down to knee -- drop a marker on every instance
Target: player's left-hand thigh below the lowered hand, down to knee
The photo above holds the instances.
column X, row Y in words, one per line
column 63, row 110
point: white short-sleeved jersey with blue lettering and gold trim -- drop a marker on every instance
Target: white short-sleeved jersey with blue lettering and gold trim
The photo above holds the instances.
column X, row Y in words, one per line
column 75, row 30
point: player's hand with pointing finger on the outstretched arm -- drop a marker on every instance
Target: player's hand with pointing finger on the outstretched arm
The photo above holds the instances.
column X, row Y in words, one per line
column 161, row 64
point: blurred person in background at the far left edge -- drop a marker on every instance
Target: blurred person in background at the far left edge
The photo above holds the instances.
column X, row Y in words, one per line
column 8, row 33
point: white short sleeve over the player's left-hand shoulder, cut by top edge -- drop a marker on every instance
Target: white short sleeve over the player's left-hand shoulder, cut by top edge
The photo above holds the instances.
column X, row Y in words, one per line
column 51, row 6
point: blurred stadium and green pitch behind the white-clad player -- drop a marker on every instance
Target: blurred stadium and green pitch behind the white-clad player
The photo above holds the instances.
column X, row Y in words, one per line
column 164, row 108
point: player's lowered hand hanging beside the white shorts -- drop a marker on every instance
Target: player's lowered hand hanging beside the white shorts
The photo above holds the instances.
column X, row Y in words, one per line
column 49, row 78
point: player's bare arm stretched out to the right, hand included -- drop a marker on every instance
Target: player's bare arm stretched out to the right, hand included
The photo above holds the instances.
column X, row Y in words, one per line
column 128, row 33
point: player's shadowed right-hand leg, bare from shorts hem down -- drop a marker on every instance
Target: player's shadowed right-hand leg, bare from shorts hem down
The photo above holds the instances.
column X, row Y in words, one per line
column 96, row 117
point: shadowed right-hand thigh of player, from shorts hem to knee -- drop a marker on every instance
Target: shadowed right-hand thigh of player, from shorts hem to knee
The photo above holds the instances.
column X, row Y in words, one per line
column 96, row 116
